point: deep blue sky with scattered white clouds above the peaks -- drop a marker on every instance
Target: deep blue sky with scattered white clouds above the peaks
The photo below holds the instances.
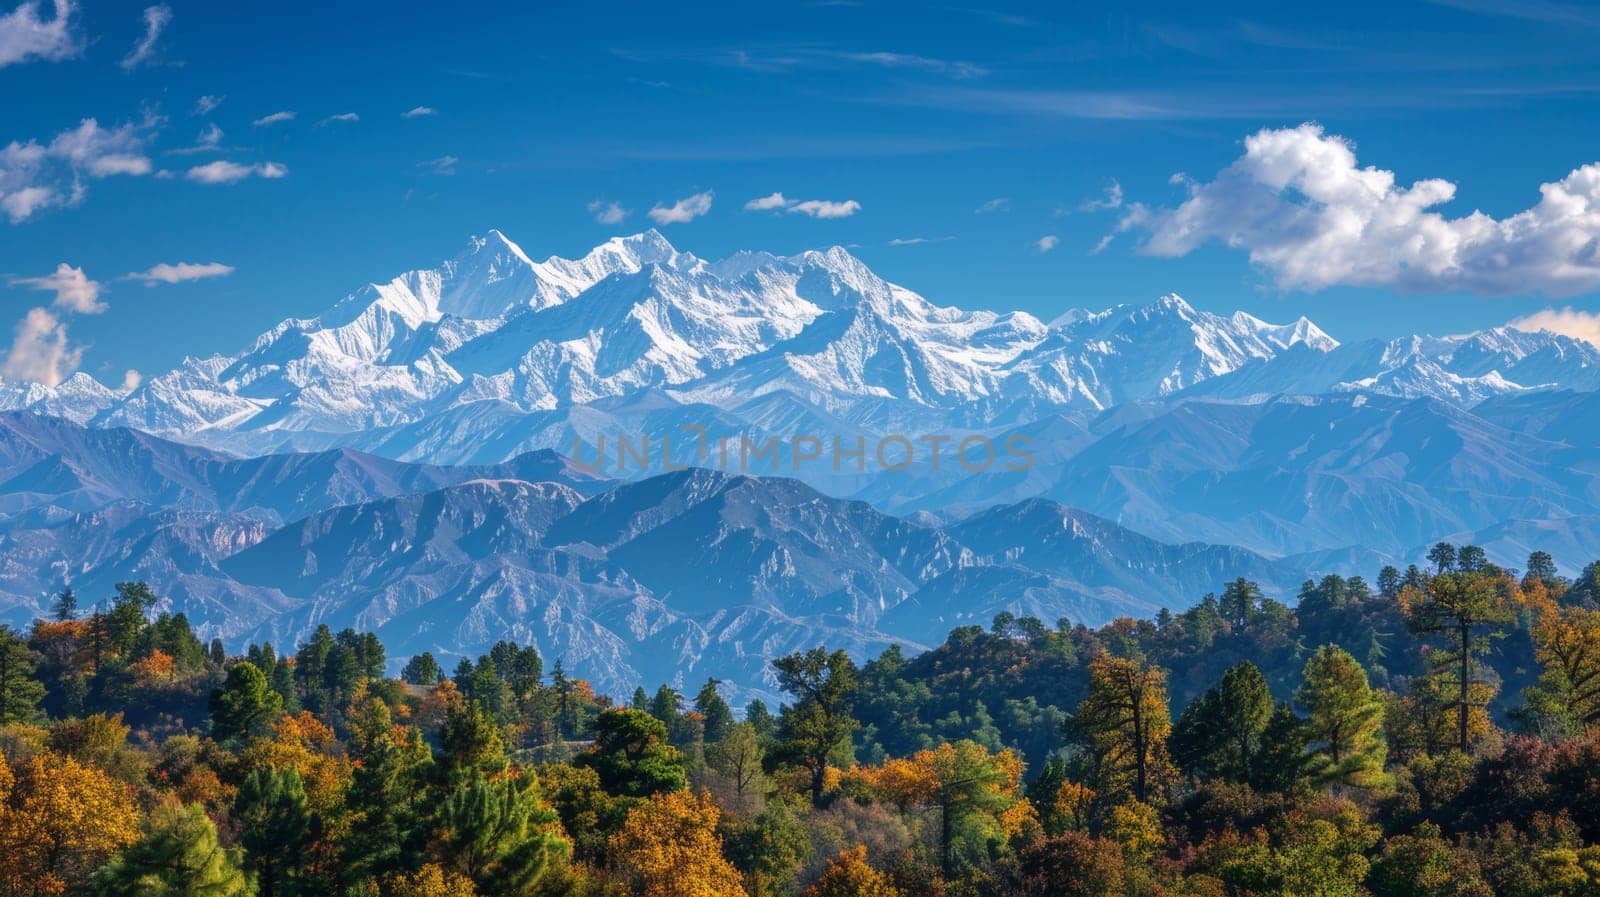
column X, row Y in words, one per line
column 994, row 135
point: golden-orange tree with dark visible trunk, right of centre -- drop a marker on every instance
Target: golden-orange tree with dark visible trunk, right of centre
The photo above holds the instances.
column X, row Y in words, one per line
column 1126, row 720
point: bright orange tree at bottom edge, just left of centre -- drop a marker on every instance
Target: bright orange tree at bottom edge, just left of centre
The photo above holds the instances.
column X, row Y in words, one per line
column 670, row 848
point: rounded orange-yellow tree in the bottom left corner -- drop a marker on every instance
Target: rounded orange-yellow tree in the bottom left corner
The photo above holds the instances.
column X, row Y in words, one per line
column 63, row 821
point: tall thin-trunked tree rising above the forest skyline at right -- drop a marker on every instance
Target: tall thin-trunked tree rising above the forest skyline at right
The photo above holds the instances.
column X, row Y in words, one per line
column 1465, row 612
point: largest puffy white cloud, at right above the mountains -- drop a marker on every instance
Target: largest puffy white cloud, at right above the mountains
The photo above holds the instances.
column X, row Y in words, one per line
column 1311, row 217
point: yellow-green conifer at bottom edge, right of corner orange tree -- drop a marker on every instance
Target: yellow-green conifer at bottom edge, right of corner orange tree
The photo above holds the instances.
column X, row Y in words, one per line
column 178, row 856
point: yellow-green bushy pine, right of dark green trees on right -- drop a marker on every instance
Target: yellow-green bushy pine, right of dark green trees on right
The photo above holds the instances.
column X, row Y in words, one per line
column 1345, row 720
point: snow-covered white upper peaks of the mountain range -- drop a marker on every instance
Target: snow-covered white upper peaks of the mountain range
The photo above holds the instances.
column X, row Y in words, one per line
column 524, row 356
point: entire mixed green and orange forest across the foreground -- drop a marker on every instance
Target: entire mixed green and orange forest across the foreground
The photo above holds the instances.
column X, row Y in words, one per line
column 1433, row 733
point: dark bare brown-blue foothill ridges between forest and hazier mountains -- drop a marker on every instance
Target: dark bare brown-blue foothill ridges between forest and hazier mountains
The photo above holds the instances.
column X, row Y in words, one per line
column 674, row 578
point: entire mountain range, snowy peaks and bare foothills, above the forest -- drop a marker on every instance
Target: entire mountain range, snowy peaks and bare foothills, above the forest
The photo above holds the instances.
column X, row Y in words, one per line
column 414, row 461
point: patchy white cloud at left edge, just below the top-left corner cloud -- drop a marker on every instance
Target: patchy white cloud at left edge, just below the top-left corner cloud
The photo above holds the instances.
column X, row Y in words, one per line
column 38, row 177
